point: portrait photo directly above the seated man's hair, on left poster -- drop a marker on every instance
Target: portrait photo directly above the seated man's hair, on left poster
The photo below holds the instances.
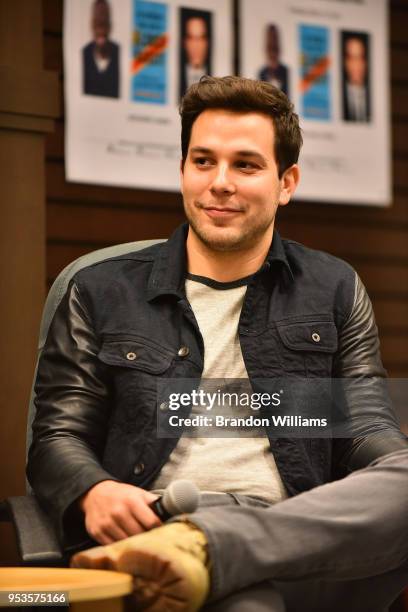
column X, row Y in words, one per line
column 195, row 46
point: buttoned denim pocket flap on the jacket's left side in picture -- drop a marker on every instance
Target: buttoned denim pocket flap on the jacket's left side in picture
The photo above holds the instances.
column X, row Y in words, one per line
column 136, row 354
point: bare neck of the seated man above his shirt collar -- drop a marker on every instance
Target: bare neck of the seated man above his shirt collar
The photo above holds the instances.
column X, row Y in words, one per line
column 225, row 266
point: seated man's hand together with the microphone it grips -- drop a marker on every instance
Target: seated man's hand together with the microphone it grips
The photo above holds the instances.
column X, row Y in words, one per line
column 115, row 510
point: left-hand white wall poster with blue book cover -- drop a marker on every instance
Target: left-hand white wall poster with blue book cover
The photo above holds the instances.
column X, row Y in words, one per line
column 127, row 63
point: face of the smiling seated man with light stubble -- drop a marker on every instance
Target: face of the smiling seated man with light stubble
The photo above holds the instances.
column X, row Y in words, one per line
column 230, row 183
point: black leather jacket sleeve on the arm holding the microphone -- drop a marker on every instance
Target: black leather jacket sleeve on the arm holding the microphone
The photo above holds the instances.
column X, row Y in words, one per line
column 72, row 412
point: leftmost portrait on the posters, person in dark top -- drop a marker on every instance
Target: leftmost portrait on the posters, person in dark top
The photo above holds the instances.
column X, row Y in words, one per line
column 100, row 57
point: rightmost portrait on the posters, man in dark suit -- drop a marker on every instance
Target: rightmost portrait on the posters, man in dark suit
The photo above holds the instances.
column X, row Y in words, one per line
column 355, row 76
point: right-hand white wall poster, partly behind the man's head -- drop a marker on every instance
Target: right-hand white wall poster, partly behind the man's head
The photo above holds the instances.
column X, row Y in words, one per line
column 331, row 58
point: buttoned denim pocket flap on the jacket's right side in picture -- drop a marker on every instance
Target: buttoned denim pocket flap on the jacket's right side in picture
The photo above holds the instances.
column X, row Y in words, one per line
column 309, row 336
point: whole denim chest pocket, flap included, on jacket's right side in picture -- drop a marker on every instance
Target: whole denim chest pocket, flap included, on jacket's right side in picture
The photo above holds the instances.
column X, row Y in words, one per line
column 307, row 348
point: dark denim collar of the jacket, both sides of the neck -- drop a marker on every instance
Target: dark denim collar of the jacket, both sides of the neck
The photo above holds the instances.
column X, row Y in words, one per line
column 170, row 265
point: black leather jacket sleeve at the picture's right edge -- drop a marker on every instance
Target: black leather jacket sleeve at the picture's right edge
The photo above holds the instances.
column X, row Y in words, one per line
column 358, row 357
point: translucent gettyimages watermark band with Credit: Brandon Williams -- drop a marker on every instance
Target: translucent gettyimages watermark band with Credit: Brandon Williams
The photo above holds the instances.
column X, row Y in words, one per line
column 293, row 407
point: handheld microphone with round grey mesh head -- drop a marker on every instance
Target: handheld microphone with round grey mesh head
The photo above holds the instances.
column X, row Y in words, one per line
column 179, row 497
